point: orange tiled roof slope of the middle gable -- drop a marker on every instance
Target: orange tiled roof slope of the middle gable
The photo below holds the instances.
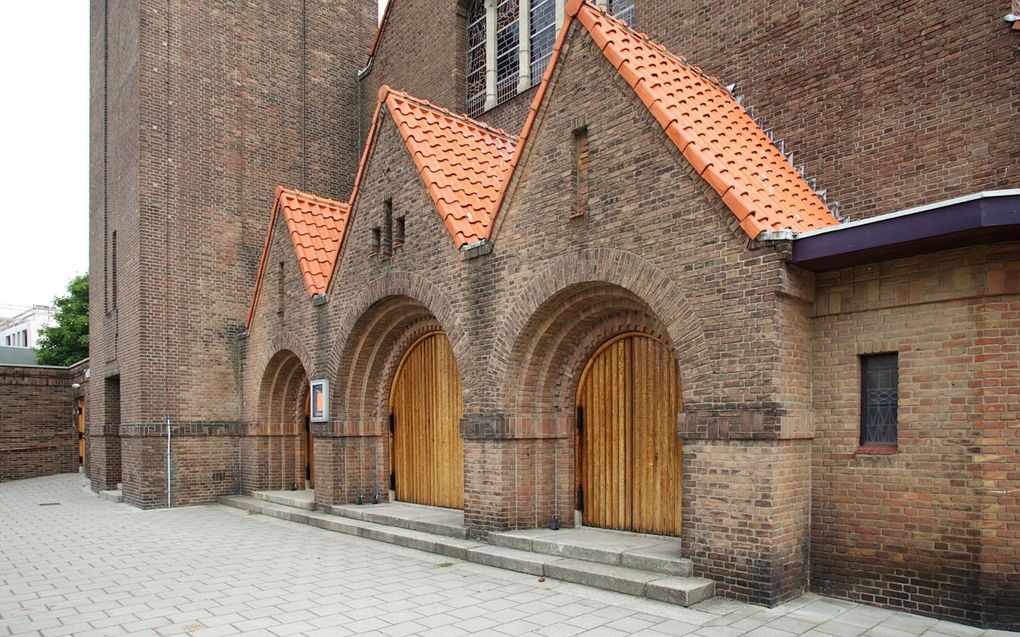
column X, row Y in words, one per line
column 464, row 164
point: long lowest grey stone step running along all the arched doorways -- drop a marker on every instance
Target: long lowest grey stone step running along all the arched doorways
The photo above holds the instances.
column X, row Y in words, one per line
column 679, row 591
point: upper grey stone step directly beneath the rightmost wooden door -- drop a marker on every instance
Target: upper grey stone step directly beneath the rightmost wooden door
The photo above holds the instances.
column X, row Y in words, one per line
column 635, row 551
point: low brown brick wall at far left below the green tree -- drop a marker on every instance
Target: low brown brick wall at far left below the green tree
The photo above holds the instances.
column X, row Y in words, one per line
column 38, row 437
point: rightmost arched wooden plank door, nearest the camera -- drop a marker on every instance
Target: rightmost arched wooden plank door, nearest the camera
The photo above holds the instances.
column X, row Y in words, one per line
column 629, row 454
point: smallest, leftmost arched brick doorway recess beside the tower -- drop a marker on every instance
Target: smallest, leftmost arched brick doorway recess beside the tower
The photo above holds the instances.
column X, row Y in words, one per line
column 285, row 447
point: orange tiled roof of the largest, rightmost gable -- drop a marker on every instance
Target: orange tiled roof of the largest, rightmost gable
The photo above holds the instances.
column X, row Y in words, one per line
column 719, row 138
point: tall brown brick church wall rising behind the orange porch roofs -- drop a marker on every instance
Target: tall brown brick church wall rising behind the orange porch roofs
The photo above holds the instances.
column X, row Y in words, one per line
column 889, row 105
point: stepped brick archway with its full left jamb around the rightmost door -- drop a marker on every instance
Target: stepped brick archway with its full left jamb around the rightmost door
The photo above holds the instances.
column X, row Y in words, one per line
column 555, row 326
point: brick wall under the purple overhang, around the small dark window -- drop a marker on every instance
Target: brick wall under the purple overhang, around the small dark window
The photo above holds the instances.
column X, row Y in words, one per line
column 933, row 528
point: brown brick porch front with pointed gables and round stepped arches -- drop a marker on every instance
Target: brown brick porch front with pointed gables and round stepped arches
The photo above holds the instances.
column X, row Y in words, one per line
column 658, row 252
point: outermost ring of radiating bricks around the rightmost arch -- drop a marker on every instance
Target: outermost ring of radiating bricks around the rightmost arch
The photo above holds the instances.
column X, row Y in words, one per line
column 616, row 268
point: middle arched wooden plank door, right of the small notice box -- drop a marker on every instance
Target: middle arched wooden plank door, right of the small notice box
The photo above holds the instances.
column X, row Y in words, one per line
column 427, row 406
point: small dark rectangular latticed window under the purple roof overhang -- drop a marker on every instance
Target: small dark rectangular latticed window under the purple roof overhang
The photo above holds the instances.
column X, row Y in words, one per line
column 880, row 399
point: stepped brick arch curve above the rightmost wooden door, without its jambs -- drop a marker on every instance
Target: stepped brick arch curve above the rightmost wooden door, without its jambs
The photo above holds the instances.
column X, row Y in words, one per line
column 572, row 307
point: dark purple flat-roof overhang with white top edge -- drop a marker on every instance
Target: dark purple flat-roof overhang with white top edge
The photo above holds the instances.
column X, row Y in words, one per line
column 979, row 219
